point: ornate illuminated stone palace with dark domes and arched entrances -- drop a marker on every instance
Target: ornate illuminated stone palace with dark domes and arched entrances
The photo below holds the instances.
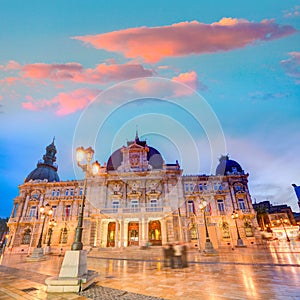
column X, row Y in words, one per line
column 135, row 199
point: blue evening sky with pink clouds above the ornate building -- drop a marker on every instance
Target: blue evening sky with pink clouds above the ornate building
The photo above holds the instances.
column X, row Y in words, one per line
column 196, row 80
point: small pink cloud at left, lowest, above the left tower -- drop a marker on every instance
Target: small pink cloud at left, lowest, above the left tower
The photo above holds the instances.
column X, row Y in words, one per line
column 63, row 103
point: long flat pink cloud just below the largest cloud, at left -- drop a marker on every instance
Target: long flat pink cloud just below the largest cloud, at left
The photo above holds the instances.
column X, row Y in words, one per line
column 75, row 72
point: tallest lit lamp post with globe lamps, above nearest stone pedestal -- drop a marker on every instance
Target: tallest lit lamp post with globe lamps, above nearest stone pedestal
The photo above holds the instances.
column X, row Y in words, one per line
column 81, row 155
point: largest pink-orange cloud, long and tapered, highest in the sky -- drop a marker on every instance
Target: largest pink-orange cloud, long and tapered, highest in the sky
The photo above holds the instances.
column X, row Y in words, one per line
column 155, row 43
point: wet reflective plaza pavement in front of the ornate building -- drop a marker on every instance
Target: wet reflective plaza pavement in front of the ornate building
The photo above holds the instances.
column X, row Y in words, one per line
column 270, row 271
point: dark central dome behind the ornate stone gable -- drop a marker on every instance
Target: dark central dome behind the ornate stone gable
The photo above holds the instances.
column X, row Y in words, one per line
column 153, row 156
